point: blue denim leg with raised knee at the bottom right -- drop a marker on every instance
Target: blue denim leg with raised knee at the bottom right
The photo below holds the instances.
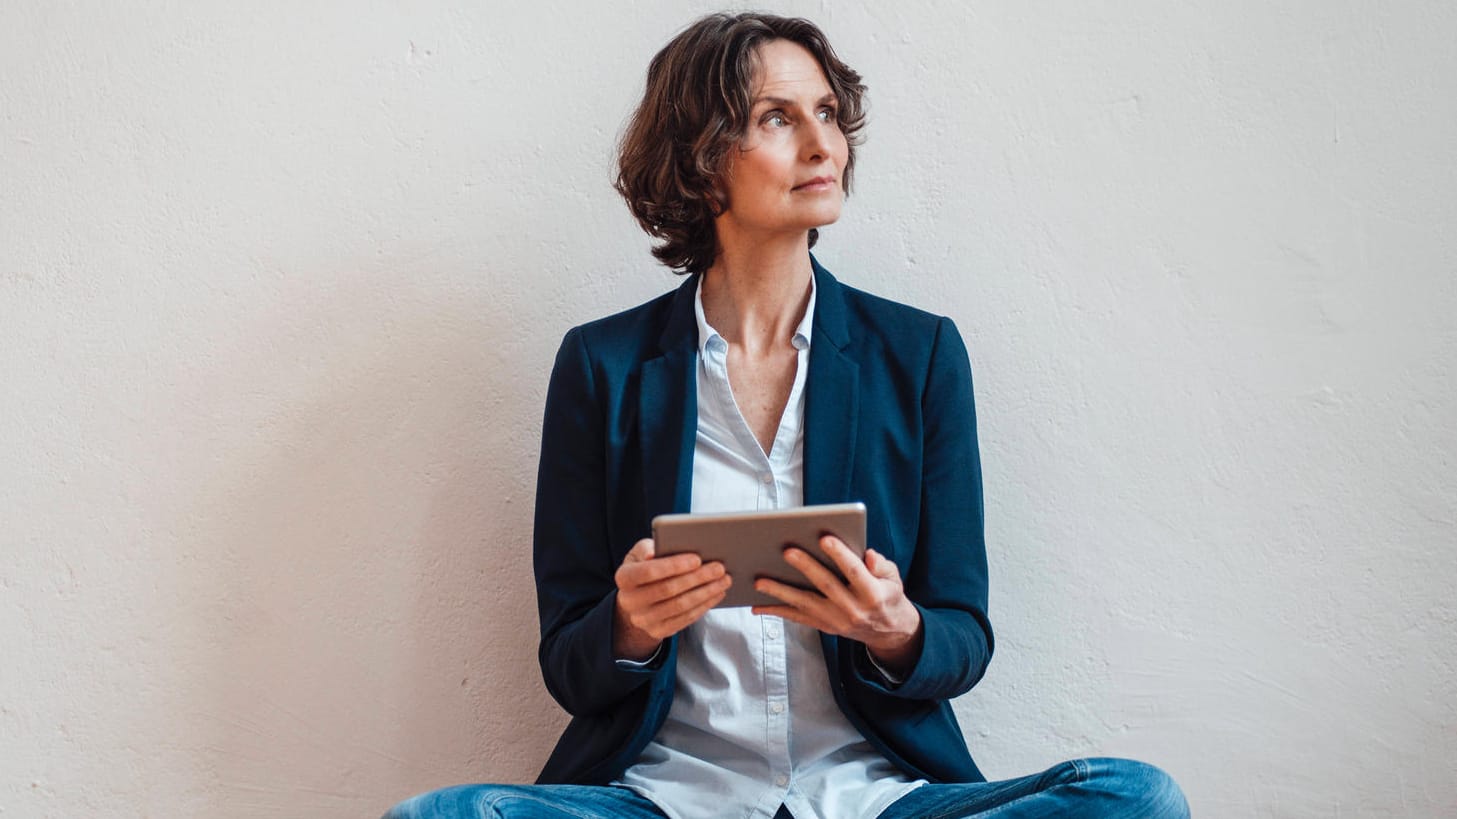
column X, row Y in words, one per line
column 1082, row 789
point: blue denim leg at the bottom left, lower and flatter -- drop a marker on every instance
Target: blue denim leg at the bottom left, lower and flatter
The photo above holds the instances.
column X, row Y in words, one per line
column 527, row 802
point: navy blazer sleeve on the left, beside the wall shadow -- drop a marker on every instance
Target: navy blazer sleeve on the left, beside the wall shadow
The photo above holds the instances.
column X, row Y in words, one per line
column 573, row 560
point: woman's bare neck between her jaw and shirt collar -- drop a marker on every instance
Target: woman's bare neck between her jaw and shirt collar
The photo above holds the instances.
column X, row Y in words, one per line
column 755, row 295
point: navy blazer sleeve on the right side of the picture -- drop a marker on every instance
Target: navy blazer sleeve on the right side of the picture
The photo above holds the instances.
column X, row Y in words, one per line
column 946, row 576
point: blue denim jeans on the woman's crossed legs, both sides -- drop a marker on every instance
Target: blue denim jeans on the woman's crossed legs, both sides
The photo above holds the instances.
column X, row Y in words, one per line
column 1082, row 789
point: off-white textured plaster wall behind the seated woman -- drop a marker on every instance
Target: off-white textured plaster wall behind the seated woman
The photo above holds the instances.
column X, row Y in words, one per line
column 280, row 285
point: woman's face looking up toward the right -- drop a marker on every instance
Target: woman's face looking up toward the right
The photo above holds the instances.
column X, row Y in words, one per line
column 786, row 176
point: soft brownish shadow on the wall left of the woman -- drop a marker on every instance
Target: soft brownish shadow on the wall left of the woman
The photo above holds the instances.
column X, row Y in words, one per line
column 366, row 540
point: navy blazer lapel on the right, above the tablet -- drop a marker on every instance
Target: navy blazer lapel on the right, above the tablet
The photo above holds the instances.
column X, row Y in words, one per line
column 831, row 399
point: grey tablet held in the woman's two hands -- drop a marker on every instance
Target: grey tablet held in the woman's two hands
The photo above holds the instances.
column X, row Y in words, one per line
column 751, row 544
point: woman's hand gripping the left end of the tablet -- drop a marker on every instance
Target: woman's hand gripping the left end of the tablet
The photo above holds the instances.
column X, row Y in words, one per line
column 659, row 597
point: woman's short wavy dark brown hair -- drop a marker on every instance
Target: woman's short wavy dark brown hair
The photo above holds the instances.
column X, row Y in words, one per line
column 694, row 111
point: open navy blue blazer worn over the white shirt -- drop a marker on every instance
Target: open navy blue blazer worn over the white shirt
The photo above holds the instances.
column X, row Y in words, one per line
column 889, row 422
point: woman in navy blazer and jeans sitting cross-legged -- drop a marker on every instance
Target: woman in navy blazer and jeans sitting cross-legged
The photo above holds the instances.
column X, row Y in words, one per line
column 764, row 384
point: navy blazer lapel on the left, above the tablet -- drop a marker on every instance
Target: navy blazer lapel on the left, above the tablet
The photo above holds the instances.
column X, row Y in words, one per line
column 668, row 410
